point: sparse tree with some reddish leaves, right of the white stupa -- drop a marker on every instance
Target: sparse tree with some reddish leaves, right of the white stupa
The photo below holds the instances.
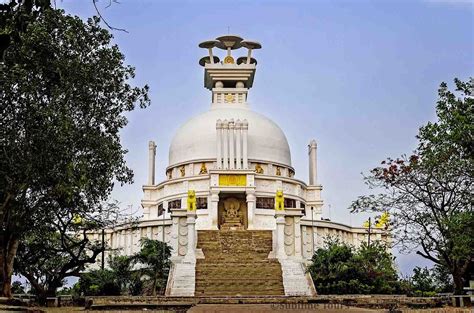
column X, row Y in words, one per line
column 429, row 194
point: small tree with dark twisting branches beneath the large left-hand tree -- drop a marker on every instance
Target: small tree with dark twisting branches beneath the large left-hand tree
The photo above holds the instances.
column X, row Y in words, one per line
column 50, row 253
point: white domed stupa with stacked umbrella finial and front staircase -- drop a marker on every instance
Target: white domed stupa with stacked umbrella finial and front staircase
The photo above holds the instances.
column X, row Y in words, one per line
column 236, row 218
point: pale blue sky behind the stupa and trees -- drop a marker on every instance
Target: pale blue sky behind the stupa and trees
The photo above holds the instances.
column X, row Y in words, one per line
column 360, row 77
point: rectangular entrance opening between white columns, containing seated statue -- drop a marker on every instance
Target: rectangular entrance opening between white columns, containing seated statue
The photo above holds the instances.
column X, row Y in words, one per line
column 232, row 212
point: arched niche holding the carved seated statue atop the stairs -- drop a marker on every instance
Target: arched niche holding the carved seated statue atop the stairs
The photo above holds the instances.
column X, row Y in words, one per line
column 233, row 214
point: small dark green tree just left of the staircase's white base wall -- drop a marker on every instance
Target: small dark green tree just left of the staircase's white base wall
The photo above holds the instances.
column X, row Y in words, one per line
column 154, row 258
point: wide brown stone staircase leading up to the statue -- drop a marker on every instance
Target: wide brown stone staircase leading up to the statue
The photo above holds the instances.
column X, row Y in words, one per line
column 236, row 264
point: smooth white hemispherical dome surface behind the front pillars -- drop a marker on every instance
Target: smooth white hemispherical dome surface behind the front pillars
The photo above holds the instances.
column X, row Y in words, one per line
column 196, row 139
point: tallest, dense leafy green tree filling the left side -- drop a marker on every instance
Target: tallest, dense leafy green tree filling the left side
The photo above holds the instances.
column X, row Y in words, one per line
column 64, row 90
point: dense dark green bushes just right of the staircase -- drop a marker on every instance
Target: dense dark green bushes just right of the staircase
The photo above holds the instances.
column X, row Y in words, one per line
column 338, row 268
